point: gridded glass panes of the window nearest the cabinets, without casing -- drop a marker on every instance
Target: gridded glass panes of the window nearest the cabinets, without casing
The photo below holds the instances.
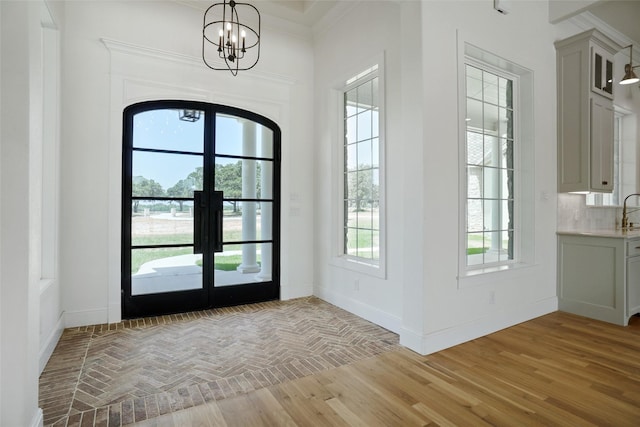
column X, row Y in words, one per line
column 490, row 167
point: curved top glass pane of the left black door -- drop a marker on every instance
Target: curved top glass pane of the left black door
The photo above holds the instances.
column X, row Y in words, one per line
column 165, row 130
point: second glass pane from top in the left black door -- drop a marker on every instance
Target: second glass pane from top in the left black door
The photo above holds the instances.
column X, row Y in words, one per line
column 162, row 174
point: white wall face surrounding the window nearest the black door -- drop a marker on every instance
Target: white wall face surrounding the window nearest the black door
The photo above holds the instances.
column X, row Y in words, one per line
column 358, row 34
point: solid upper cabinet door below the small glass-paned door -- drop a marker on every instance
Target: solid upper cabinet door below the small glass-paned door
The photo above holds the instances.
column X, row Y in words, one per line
column 601, row 119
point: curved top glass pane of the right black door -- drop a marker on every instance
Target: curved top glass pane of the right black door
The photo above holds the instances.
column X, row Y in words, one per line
column 236, row 136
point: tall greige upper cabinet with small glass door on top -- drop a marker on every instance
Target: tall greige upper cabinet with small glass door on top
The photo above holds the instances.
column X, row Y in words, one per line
column 585, row 112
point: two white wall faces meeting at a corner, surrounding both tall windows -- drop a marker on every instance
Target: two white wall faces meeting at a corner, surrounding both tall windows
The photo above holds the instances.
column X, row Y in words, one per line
column 433, row 309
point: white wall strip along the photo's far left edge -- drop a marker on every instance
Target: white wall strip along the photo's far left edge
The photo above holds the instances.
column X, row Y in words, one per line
column 20, row 211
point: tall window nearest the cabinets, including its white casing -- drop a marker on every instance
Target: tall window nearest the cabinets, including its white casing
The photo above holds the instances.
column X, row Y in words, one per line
column 497, row 165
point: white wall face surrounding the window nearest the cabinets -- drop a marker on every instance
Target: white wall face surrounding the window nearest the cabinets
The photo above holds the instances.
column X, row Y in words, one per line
column 458, row 311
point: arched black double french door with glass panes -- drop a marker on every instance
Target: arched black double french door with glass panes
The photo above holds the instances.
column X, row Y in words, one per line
column 201, row 208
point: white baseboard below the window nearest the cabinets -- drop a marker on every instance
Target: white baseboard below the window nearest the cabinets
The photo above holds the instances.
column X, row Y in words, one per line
column 440, row 340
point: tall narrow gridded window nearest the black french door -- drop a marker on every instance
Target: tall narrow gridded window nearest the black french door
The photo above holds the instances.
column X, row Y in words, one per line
column 361, row 204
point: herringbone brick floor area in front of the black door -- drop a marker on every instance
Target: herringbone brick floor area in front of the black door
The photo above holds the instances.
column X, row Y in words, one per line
column 117, row 374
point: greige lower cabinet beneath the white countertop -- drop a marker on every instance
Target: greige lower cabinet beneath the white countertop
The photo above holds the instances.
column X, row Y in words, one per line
column 599, row 277
